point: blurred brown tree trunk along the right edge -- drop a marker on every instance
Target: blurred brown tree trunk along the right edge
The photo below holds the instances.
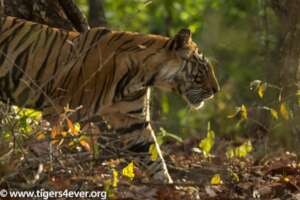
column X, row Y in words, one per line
column 288, row 66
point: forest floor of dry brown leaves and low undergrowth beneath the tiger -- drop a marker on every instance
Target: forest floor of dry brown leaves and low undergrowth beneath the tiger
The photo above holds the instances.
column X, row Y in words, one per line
column 35, row 156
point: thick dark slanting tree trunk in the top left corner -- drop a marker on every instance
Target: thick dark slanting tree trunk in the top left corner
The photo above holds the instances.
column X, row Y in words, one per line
column 56, row 13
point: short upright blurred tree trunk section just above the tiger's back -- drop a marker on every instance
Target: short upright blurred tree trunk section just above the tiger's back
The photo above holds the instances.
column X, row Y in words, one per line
column 96, row 13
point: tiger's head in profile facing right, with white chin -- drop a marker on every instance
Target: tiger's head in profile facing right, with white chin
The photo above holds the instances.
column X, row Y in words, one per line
column 188, row 72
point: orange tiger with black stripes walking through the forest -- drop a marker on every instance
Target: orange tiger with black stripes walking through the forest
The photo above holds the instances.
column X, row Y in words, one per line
column 108, row 73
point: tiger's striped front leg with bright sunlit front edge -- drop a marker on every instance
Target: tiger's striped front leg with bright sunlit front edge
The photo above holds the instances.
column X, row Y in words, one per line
column 136, row 136
